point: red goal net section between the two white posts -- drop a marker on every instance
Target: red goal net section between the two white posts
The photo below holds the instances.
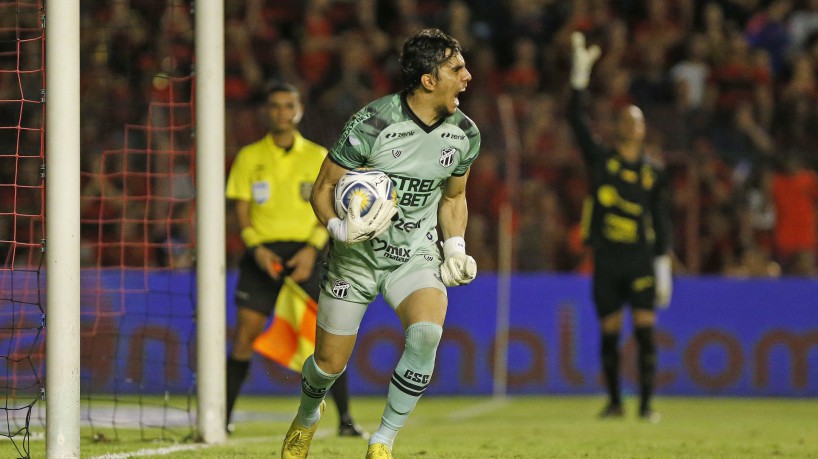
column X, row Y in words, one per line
column 137, row 305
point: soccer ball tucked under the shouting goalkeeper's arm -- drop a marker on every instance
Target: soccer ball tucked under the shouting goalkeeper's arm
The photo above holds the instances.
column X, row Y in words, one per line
column 369, row 184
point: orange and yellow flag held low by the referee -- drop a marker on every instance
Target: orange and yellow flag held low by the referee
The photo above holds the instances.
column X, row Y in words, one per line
column 290, row 338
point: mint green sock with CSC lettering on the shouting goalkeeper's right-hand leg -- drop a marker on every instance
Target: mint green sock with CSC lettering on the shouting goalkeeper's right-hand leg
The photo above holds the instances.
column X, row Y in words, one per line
column 409, row 381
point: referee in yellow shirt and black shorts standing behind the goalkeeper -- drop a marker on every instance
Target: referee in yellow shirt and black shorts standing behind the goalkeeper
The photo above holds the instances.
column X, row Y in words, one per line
column 270, row 181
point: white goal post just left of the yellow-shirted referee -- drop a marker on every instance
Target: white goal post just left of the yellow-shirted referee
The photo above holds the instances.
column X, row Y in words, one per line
column 210, row 222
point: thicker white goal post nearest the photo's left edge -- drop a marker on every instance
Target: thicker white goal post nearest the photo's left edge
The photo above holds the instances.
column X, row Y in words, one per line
column 62, row 209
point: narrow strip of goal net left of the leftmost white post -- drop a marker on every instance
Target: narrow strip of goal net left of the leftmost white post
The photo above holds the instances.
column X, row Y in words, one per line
column 21, row 221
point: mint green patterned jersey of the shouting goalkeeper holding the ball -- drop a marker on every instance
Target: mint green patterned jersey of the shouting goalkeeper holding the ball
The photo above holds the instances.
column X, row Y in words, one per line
column 386, row 135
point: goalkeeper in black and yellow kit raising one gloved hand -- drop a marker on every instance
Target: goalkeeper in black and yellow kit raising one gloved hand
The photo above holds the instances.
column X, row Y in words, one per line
column 627, row 224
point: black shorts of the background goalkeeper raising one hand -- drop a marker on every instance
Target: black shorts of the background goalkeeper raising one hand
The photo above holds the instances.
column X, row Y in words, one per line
column 621, row 277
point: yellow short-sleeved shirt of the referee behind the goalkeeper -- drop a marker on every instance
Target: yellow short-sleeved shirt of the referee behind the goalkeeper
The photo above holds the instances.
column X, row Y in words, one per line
column 277, row 184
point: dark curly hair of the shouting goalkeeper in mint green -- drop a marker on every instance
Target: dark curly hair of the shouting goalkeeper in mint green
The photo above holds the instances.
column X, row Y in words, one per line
column 423, row 53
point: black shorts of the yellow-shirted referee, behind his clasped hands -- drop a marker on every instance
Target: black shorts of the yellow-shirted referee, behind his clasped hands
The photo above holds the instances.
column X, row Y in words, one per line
column 258, row 291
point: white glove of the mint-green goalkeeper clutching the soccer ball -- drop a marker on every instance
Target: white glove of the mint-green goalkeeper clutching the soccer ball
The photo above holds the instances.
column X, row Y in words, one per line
column 358, row 228
